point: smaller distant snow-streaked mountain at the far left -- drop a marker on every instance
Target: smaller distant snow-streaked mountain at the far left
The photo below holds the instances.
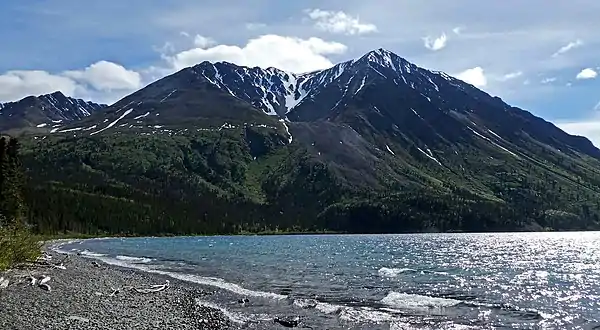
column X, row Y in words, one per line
column 44, row 112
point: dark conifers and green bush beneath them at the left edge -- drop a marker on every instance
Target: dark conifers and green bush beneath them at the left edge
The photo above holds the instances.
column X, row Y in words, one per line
column 17, row 244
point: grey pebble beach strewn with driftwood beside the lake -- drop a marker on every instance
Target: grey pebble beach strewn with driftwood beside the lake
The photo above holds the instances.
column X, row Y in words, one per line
column 80, row 298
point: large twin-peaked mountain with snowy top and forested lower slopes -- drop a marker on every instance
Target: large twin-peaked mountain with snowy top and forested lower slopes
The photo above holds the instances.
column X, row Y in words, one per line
column 375, row 144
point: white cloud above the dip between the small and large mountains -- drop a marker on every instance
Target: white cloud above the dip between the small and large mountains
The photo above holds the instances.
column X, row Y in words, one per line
column 107, row 76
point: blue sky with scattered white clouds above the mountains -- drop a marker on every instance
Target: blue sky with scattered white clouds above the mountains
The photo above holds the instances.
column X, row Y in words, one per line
column 542, row 56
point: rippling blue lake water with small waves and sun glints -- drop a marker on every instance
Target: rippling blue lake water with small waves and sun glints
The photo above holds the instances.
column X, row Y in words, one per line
column 429, row 281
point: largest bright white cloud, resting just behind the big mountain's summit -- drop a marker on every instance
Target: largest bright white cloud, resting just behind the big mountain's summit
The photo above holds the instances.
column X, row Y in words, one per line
column 286, row 53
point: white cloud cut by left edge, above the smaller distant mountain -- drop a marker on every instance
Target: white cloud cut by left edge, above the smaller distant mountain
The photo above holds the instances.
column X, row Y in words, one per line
column 15, row 85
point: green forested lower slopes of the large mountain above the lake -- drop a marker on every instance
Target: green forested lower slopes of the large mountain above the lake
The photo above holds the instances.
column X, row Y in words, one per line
column 250, row 181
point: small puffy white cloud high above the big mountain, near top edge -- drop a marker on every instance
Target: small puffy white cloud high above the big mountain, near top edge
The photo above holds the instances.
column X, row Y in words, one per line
column 339, row 22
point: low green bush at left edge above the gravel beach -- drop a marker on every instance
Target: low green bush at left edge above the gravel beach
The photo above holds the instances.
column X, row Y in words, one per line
column 17, row 245
